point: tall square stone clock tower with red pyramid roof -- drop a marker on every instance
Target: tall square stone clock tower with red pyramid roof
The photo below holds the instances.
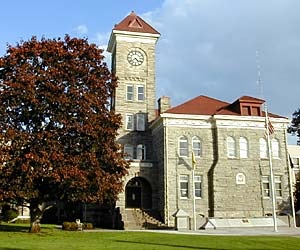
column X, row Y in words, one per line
column 132, row 46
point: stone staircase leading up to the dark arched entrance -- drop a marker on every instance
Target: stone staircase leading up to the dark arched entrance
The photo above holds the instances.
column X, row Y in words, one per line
column 137, row 219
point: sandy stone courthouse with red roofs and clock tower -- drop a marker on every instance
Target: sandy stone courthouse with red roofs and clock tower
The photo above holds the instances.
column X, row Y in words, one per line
column 225, row 142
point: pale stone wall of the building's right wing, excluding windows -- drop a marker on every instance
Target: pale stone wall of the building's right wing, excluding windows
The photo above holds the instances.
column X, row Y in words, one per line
column 222, row 195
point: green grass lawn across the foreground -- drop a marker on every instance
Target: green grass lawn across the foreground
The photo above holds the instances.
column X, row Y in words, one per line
column 16, row 237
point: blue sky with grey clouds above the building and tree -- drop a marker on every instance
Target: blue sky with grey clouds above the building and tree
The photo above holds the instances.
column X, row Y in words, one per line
column 217, row 48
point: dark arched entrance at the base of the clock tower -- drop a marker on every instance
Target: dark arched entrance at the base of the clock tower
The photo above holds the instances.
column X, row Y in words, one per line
column 138, row 193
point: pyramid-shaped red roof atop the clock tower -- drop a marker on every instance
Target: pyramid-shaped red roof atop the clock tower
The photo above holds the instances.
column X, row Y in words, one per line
column 134, row 23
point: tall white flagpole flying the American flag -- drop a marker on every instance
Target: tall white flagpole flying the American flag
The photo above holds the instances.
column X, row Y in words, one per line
column 271, row 171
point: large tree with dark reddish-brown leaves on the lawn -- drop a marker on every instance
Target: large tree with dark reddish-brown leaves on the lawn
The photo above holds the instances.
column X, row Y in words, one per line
column 57, row 128
